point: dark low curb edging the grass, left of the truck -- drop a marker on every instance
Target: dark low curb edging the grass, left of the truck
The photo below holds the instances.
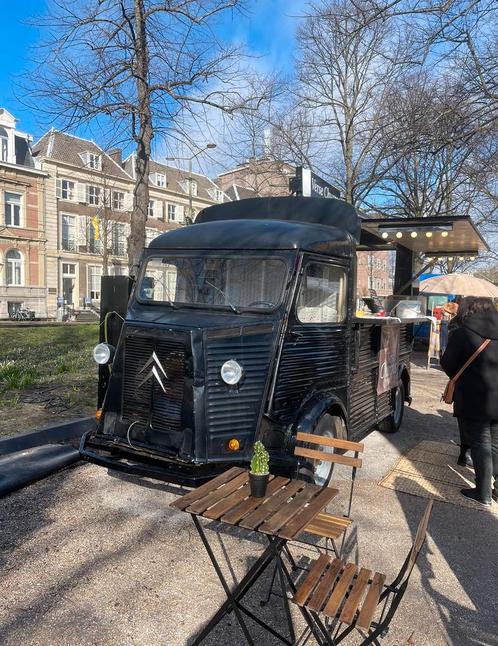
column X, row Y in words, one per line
column 49, row 435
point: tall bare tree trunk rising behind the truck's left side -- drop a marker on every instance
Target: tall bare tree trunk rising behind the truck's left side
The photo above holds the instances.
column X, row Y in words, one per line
column 136, row 240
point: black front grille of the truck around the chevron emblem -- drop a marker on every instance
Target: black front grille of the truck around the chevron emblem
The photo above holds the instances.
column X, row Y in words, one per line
column 147, row 403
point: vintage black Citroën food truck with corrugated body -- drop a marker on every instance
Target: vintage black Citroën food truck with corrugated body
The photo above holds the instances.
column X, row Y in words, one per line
column 242, row 327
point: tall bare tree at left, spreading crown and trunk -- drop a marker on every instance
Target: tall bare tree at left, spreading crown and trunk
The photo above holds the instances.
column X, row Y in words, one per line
column 139, row 66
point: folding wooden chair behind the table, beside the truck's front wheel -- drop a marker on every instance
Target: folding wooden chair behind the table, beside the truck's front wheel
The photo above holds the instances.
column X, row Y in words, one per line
column 327, row 525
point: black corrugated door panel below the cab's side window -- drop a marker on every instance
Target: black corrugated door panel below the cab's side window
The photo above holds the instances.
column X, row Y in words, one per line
column 313, row 358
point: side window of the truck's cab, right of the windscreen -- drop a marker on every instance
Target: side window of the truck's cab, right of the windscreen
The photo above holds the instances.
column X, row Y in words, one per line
column 322, row 297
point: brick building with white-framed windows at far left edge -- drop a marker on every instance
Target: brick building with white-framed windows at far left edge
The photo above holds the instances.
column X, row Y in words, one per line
column 22, row 235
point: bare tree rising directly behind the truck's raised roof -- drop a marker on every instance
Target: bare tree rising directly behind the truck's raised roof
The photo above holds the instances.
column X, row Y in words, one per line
column 346, row 64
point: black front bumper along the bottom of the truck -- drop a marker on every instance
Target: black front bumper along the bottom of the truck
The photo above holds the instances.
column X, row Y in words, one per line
column 107, row 452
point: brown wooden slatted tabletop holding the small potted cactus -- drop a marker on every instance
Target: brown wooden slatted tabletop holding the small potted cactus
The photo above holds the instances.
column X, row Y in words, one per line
column 289, row 505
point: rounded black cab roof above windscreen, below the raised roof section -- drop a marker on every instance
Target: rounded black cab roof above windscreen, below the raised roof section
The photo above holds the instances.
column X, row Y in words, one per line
column 257, row 235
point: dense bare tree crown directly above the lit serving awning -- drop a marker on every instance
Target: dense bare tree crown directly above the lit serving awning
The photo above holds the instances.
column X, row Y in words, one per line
column 426, row 172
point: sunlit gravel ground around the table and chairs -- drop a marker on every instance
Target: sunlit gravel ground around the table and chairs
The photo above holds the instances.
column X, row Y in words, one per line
column 86, row 558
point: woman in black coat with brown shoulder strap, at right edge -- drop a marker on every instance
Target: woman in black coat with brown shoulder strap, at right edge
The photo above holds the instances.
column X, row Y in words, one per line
column 476, row 391
